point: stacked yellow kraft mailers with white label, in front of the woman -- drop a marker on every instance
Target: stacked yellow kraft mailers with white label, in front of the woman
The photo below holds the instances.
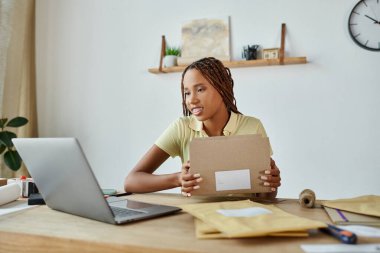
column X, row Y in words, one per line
column 239, row 219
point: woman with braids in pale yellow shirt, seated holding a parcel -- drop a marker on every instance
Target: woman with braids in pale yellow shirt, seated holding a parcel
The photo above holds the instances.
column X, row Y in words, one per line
column 209, row 109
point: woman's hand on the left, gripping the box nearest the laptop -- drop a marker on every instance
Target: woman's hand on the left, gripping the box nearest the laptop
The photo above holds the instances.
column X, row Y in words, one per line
column 188, row 181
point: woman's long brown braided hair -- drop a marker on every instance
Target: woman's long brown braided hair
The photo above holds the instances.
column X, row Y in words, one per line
column 218, row 76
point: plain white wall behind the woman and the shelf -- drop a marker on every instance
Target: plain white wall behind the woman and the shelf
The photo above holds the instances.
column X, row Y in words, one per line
column 322, row 117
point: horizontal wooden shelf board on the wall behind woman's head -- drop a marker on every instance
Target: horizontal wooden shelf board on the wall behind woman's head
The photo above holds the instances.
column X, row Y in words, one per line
column 239, row 64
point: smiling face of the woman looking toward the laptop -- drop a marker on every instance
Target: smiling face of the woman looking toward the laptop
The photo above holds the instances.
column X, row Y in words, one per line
column 201, row 98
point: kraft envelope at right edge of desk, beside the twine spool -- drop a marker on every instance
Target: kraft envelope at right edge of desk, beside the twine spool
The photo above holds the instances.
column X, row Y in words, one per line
column 367, row 204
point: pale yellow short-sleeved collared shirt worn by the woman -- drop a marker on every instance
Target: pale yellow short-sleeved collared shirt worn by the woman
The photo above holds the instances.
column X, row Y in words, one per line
column 175, row 140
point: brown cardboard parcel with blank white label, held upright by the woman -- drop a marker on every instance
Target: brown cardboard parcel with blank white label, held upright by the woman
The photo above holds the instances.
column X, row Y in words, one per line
column 230, row 164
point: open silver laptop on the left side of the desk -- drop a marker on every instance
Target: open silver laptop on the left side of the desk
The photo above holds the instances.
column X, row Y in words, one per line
column 67, row 183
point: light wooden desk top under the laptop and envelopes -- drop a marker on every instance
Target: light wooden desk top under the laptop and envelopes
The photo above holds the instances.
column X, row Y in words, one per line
column 41, row 229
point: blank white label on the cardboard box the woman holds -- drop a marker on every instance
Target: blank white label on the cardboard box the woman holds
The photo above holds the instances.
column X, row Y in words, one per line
column 233, row 180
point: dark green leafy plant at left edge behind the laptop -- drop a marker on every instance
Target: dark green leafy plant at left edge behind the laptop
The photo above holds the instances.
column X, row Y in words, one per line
column 11, row 157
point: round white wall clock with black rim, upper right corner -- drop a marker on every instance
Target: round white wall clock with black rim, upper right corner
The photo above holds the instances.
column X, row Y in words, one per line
column 364, row 24
